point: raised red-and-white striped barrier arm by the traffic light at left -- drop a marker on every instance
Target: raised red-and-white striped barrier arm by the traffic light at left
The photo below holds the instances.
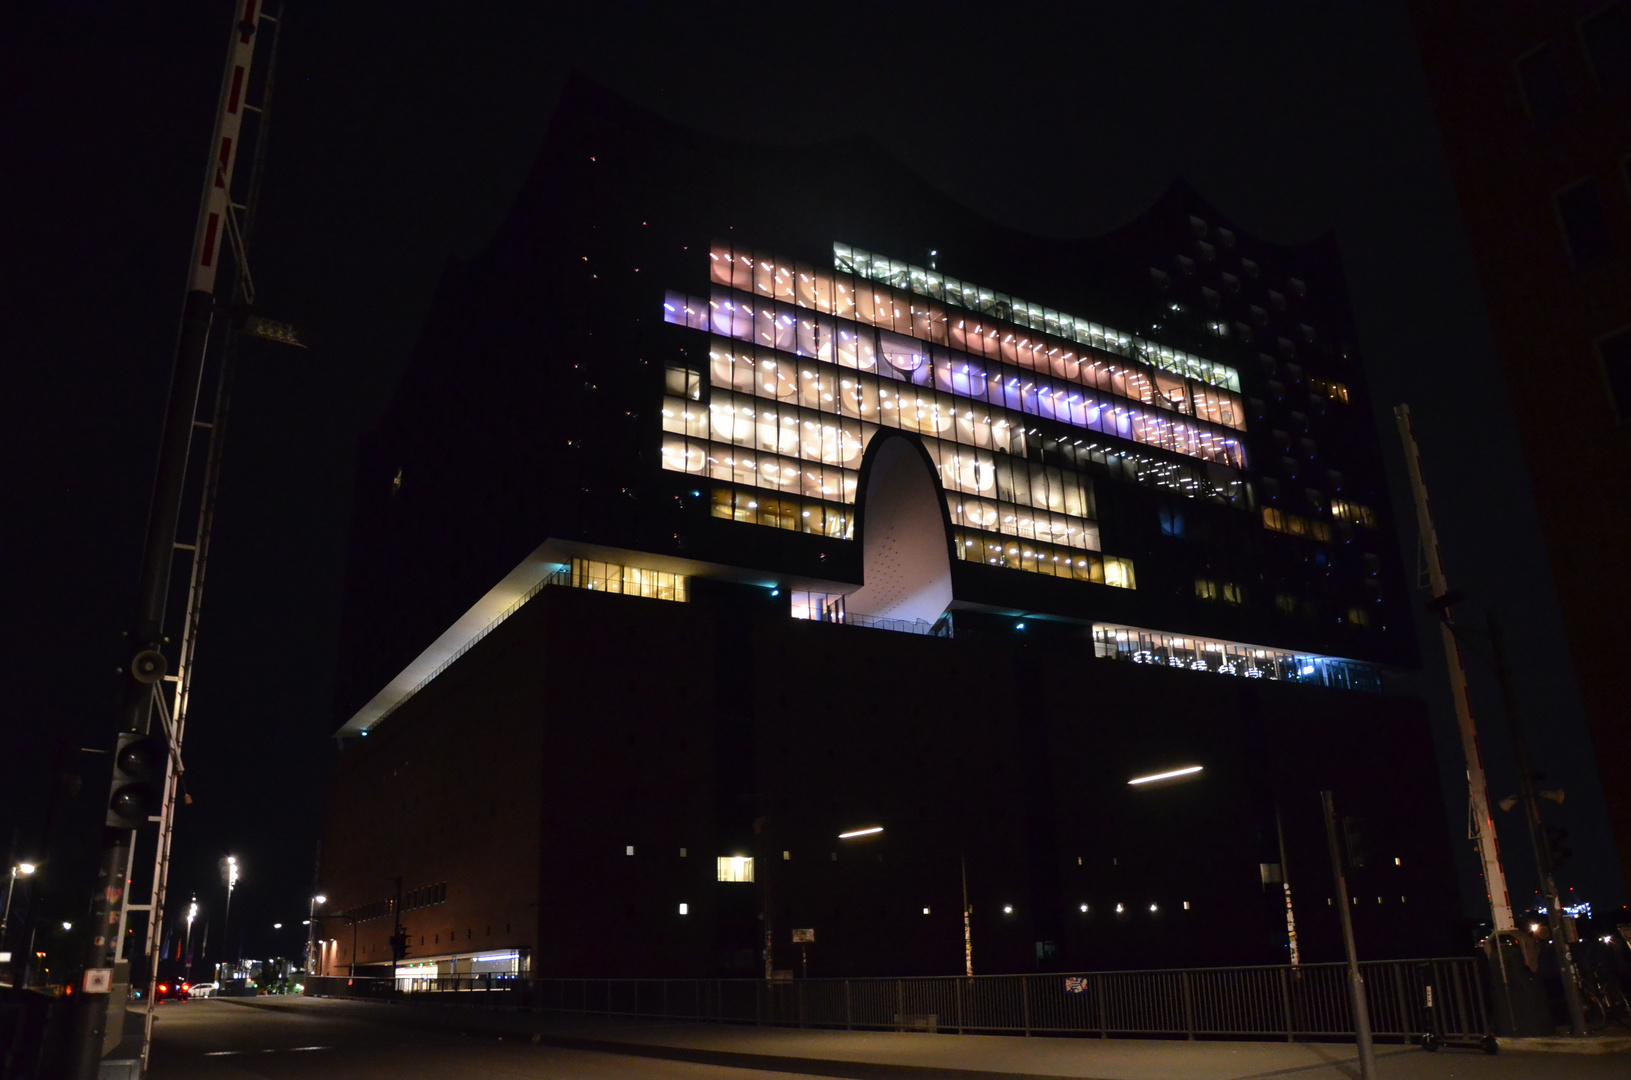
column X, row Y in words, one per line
column 144, row 635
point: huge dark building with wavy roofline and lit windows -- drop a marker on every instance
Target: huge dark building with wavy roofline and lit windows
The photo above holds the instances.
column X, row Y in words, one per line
column 762, row 542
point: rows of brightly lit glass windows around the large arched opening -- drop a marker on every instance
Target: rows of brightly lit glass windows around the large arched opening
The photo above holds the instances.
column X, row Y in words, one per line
column 1027, row 414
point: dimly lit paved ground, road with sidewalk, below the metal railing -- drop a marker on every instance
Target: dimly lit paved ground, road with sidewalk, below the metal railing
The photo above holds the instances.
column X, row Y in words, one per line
column 294, row 1038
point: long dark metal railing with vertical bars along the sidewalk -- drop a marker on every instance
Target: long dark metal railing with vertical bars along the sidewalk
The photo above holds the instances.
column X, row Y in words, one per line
column 1407, row 999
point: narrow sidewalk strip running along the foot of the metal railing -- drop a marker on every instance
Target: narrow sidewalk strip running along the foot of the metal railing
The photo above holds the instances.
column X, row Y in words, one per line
column 886, row 1055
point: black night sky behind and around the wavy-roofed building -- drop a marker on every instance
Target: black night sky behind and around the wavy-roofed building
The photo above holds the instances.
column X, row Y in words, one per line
column 402, row 135
